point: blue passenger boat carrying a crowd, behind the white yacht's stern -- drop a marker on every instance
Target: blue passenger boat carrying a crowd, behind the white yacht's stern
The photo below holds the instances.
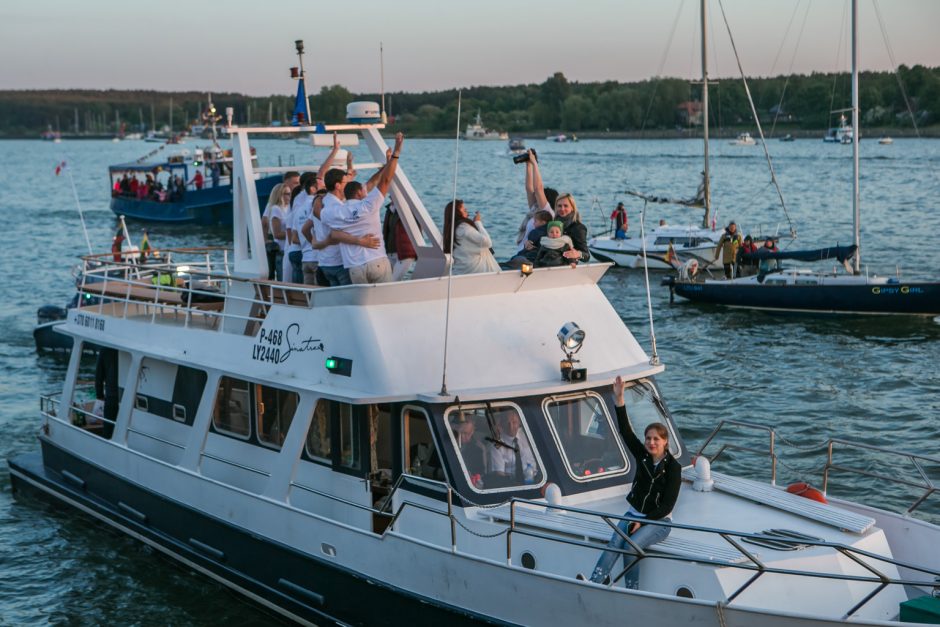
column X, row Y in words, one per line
column 183, row 188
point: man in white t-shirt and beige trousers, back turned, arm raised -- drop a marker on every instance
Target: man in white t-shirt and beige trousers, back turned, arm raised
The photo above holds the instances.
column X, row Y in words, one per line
column 358, row 216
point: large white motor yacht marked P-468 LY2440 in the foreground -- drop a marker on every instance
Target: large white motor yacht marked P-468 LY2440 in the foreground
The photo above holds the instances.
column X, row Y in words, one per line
column 298, row 444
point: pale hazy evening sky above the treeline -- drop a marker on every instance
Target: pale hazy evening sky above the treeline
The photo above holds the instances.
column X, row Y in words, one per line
column 432, row 45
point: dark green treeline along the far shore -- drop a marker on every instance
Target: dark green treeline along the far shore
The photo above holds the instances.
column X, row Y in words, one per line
column 795, row 102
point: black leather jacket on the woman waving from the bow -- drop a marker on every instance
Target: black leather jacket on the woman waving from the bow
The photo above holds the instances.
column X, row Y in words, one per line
column 655, row 486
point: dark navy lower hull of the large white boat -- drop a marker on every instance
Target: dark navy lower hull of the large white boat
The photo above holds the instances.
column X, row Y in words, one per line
column 298, row 586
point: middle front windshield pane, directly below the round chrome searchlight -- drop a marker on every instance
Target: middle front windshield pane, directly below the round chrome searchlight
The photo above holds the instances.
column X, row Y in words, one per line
column 587, row 437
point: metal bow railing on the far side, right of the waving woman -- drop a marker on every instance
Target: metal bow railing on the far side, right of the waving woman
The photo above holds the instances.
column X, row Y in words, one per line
column 861, row 458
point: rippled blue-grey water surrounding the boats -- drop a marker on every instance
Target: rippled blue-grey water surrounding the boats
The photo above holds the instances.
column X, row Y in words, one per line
column 870, row 379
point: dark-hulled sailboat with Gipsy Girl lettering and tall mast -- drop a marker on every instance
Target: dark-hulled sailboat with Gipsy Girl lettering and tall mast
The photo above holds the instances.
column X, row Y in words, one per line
column 803, row 290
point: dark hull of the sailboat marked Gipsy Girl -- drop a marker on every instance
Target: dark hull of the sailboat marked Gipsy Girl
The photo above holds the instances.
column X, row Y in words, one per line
column 911, row 298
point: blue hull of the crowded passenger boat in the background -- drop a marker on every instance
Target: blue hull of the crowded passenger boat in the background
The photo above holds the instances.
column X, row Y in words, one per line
column 208, row 206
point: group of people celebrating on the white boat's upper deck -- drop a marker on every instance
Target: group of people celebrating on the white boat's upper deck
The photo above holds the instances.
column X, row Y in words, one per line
column 324, row 228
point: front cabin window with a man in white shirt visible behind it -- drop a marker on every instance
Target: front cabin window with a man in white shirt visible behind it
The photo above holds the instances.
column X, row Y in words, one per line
column 494, row 447
